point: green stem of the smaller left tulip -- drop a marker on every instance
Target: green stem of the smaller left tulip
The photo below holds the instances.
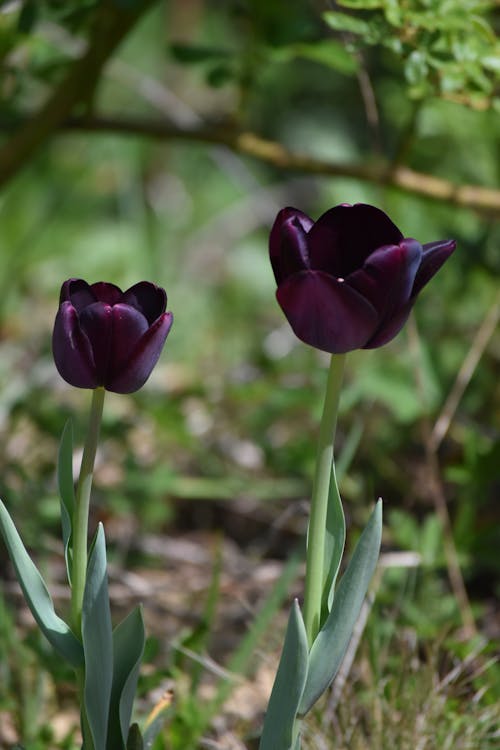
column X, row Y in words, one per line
column 81, row 512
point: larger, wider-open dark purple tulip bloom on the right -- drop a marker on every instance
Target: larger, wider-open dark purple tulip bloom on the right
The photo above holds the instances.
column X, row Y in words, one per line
column 349, row 280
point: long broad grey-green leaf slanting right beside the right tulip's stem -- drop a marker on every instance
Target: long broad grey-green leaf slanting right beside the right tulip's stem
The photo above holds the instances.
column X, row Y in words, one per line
column 331, row 642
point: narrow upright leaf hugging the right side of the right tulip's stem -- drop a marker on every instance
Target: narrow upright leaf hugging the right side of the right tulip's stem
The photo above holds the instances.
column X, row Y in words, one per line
column 334, row 545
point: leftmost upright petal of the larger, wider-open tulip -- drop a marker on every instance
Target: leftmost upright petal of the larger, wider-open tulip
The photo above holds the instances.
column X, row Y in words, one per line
column 288, row 243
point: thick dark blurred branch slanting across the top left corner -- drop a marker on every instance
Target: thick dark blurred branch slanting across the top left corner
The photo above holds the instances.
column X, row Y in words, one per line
column 111, row 25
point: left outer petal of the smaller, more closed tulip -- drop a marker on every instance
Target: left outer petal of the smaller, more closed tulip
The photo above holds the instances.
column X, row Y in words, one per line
column 72, row 350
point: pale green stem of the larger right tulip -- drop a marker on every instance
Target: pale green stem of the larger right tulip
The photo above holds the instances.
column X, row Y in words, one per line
column 319, row 501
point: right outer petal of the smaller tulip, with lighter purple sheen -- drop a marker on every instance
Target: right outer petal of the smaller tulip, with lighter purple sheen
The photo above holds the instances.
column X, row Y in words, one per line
column 133, row 374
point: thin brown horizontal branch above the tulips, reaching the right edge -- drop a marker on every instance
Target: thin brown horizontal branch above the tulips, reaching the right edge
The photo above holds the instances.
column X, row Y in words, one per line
column 469, row 196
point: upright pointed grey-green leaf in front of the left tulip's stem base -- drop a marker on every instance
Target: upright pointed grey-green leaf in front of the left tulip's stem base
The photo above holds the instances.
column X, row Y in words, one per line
column 97, row 642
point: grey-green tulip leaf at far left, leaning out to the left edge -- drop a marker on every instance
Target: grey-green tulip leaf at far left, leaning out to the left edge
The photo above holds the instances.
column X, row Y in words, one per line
column 37, row 596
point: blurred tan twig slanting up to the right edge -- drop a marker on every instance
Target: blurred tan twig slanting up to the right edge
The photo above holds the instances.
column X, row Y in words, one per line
column 479, row 344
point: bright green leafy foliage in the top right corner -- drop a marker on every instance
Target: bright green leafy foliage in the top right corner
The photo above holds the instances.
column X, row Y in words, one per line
column 448, row 48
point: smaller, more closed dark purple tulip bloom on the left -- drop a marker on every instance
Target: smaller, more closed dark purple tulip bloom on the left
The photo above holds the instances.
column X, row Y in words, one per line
column 106, row 337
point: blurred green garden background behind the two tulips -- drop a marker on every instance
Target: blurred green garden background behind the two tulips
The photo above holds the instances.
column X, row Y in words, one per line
column 222, row 438
